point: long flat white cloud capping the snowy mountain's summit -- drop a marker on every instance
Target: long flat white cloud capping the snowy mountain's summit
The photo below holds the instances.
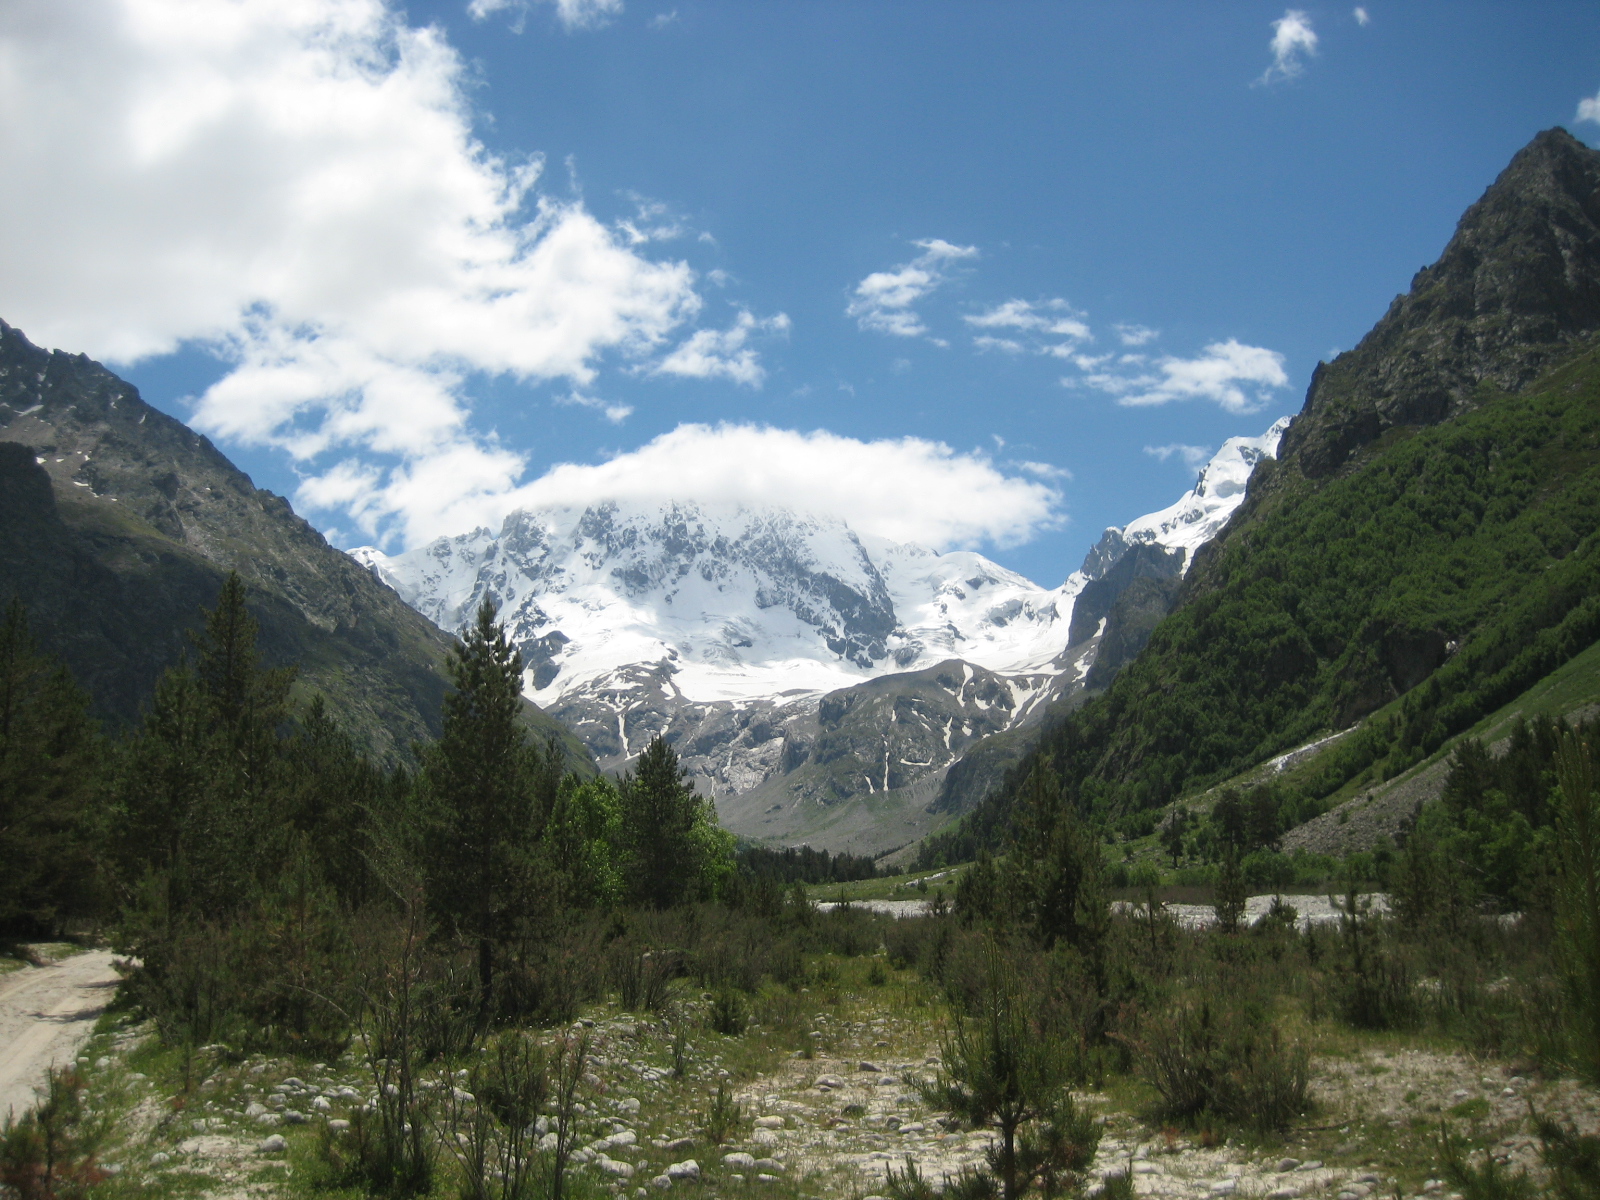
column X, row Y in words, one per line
column 910, row 490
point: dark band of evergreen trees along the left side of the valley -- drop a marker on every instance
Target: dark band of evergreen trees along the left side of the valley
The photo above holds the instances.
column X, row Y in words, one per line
column 239, row 820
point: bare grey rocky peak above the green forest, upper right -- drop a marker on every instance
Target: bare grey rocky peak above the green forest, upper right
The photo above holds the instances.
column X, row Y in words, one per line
column 1516, row 287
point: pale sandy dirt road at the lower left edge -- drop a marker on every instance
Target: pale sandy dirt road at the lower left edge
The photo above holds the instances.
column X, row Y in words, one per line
column 46, row 1015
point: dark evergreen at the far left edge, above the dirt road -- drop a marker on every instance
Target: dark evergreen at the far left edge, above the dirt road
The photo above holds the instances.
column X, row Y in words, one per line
column 50, row 785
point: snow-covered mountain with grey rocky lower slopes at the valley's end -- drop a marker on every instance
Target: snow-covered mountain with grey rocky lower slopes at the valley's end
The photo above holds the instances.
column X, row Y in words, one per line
column 798, row 665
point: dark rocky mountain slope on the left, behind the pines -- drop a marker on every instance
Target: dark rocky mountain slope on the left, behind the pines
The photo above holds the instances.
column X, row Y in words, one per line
column 119, row 524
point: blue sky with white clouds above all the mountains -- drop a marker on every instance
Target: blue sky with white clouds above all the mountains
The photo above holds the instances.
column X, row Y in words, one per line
column 1034, row 190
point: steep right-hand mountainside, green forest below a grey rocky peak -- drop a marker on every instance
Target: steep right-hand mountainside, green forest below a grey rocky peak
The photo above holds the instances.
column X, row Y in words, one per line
column 1446, row 551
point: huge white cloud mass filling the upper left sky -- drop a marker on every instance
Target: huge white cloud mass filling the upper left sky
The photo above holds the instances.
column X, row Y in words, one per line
column 297, row 186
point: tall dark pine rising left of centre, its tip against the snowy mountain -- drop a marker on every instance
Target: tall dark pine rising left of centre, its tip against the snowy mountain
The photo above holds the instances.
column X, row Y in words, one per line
column 479, row 785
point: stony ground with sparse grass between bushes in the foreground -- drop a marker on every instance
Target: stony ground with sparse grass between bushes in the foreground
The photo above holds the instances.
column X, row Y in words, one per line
column 825, row 1081
